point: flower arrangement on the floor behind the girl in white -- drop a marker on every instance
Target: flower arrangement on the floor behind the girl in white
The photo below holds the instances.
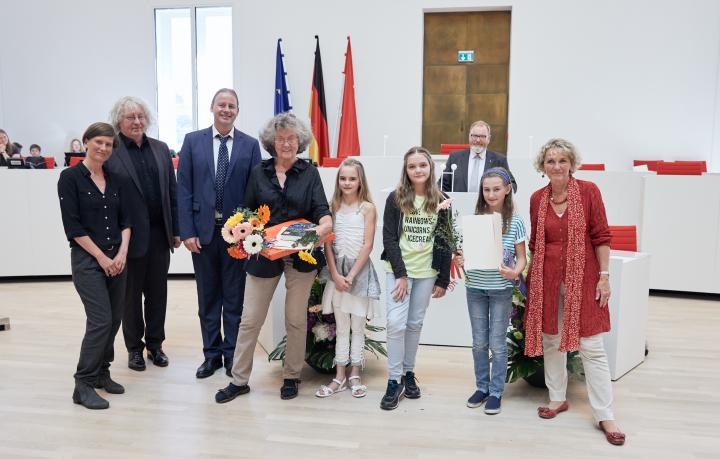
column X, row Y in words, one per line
column 320, row 345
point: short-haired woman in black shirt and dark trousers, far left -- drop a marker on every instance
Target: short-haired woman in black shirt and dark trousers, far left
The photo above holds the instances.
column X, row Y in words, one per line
column 94, row 214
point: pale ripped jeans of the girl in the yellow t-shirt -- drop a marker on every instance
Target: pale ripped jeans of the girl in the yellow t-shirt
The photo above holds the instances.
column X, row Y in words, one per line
column 404, row 323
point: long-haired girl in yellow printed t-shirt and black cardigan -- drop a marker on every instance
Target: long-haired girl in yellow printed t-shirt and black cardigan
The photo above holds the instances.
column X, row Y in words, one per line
column 417, row 267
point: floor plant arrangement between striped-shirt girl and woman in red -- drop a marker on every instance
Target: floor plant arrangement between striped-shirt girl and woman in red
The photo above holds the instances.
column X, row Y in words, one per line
column 520, row 365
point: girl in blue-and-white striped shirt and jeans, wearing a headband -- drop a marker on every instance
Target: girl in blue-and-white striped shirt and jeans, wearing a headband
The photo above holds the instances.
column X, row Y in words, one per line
column 489, row 292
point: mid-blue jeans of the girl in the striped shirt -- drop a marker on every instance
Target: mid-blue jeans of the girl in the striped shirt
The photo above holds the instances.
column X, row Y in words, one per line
column 489, row 312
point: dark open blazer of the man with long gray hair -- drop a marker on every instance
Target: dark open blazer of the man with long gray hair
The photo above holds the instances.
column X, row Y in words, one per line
column 120, row 163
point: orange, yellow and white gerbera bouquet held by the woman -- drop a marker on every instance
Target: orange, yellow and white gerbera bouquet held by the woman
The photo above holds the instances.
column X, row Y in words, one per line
column 245, row 232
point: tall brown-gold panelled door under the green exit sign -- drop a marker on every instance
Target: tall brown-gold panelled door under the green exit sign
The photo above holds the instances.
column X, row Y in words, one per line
column 457, row 94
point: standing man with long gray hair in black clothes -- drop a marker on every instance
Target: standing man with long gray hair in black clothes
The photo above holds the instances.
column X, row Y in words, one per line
column 145, row 163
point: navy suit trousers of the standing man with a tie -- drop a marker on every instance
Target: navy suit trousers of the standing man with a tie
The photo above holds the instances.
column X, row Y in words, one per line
column 221, row 288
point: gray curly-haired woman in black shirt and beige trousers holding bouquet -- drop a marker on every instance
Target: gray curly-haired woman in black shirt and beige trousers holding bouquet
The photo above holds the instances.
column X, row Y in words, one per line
column 291, row 188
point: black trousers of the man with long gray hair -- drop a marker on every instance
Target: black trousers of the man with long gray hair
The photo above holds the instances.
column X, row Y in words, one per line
column 147, row 276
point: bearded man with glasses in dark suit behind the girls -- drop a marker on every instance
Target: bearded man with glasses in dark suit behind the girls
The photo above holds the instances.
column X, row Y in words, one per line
column 472, row 163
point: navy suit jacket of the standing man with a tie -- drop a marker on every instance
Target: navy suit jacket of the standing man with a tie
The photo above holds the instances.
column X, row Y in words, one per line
column 196, row 181
